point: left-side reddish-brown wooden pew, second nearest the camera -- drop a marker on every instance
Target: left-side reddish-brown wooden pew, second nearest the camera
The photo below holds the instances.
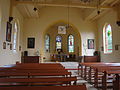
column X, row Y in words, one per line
column 37, row 81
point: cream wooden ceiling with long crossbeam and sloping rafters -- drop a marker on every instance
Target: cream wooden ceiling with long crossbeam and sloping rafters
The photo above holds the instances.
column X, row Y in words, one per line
column 90, row 9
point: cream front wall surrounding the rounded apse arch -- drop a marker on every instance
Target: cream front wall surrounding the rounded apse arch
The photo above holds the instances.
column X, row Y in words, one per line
column 49, row 16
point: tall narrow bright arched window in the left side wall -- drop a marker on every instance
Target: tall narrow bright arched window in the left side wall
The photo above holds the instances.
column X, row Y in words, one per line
column 15, row 36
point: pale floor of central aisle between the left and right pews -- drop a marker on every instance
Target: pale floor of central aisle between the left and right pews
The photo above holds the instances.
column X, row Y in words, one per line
column 74, row 65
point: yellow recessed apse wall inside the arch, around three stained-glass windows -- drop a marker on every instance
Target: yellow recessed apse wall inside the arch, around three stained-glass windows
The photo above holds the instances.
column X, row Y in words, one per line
column 64, row 32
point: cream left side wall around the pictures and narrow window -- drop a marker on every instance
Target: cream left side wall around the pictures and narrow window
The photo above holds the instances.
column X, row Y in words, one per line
column 6, row 55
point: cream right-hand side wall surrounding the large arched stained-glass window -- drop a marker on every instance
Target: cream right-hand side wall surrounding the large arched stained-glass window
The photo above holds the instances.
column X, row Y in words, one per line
column 110, row 18
